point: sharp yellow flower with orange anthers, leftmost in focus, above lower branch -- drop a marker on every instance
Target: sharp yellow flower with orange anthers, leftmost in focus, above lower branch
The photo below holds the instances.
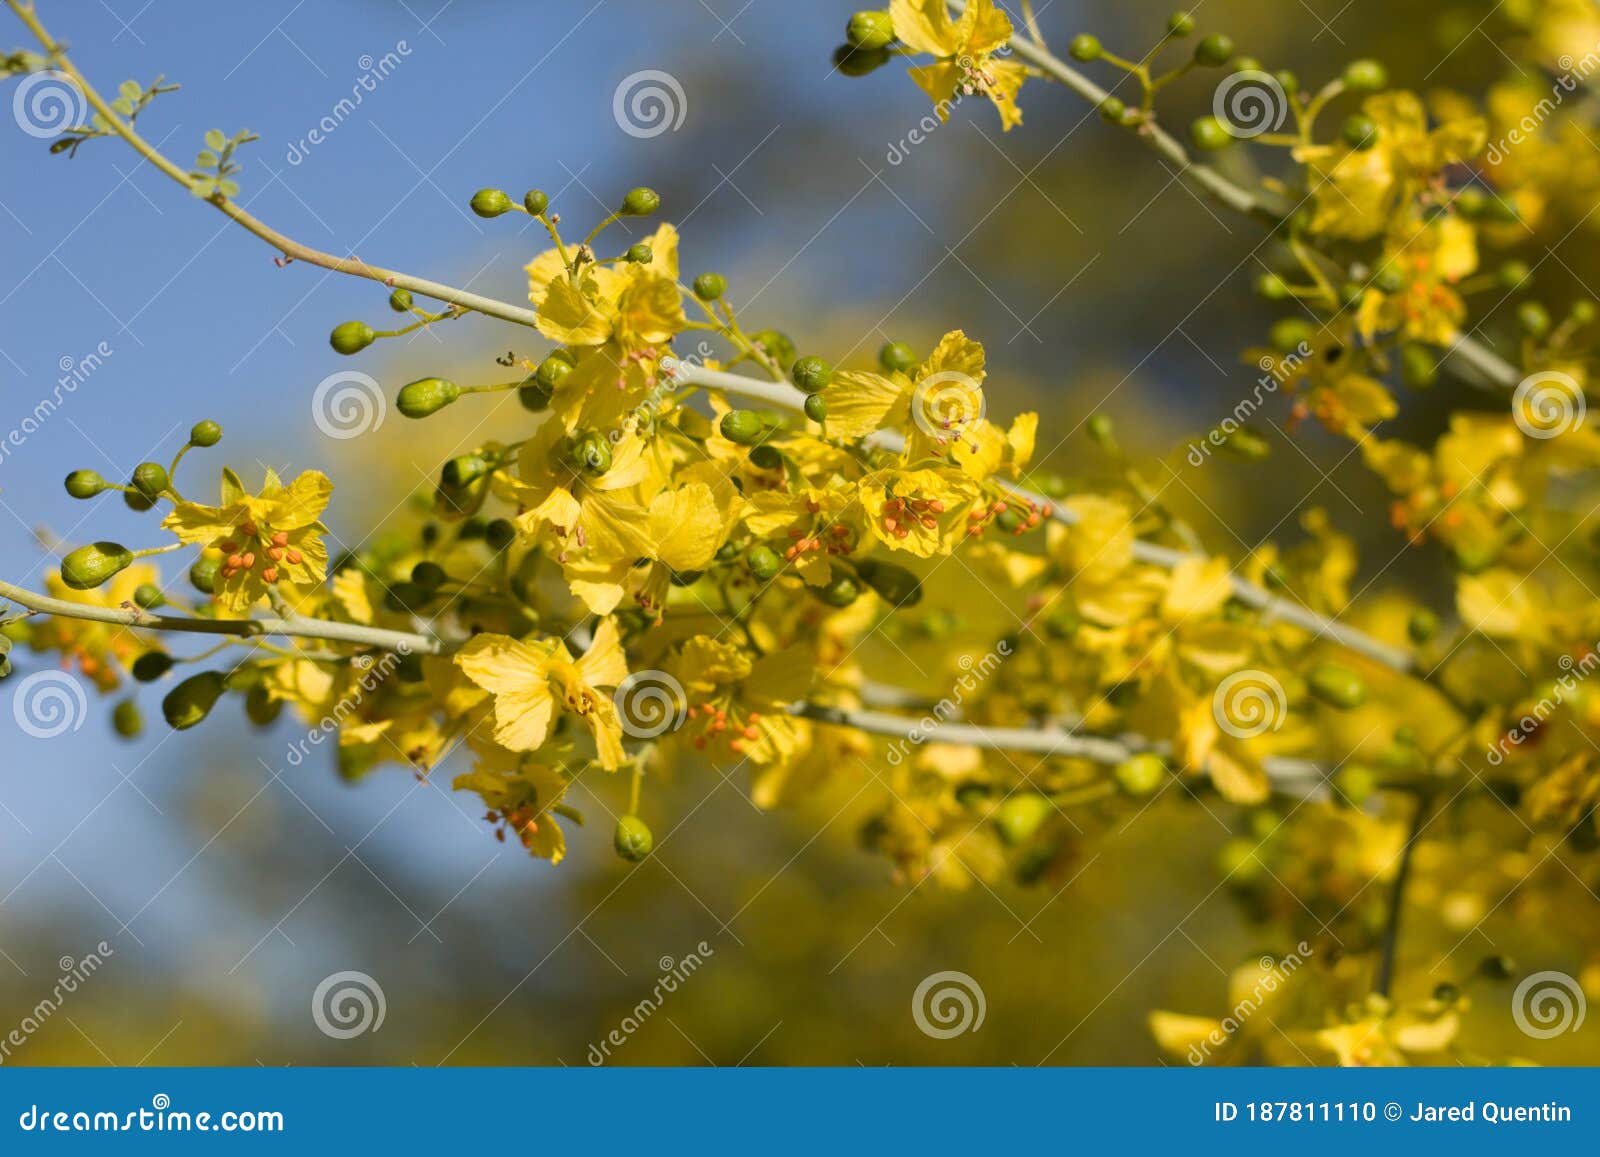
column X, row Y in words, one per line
column 263, row 540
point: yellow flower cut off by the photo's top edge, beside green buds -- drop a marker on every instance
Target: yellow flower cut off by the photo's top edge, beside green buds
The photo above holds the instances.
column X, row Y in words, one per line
column 967, row 55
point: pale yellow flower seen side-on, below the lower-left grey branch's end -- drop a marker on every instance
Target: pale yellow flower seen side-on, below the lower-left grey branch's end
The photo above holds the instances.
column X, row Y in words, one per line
column 535, row 681
